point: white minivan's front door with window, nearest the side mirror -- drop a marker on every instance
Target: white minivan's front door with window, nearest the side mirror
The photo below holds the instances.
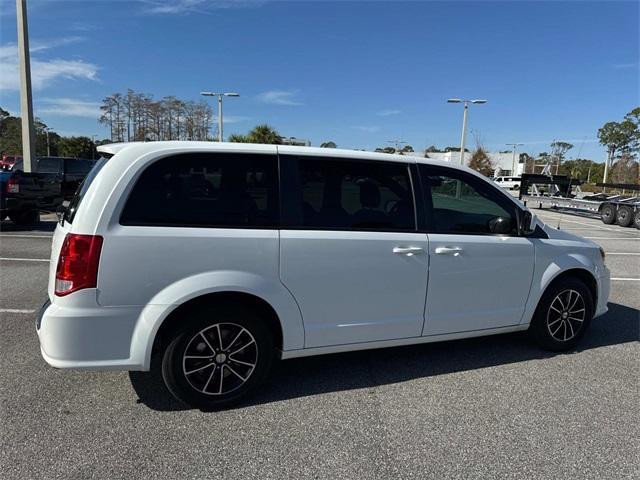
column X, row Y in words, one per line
column 480, row 270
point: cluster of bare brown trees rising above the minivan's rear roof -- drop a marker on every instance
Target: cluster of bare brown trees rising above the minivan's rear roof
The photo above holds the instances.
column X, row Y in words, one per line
column 134, row 116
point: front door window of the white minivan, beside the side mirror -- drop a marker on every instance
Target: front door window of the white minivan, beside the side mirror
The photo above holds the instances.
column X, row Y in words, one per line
column 461, row 203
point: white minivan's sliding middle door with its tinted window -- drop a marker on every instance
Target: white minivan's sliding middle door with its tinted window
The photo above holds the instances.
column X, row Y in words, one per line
column 350, row 252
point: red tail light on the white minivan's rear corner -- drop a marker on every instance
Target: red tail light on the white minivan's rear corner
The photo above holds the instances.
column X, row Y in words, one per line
column 78, row 263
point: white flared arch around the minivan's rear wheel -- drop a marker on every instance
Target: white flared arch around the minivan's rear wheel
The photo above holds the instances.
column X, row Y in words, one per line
column 176, row 294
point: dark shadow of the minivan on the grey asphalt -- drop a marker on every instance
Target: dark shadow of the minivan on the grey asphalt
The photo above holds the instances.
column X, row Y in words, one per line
column 366, row 369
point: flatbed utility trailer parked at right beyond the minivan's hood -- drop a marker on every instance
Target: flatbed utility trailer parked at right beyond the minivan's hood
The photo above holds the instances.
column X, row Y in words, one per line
column 623, row 210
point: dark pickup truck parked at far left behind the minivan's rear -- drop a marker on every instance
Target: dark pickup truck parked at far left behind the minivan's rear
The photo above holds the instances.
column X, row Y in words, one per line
column 53, row 179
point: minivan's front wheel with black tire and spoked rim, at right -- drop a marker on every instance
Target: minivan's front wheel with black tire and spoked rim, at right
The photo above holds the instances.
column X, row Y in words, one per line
column 551, row 323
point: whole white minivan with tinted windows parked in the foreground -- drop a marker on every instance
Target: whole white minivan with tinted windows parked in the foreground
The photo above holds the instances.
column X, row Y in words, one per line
column 223, row 257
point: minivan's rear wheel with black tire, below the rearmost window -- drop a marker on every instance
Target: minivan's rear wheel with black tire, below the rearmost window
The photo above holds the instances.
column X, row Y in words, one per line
column 201, row 386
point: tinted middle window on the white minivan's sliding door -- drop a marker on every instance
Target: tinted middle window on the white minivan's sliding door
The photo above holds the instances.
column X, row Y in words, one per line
column 342, row 194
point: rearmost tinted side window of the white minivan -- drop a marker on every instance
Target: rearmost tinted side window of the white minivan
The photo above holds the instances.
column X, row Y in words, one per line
column 206, row 190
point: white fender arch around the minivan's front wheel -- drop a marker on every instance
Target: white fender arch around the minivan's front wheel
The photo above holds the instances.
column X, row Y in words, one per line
column 547, row 271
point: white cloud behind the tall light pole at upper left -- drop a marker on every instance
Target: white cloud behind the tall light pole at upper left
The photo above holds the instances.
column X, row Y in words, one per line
column 43, row 72
